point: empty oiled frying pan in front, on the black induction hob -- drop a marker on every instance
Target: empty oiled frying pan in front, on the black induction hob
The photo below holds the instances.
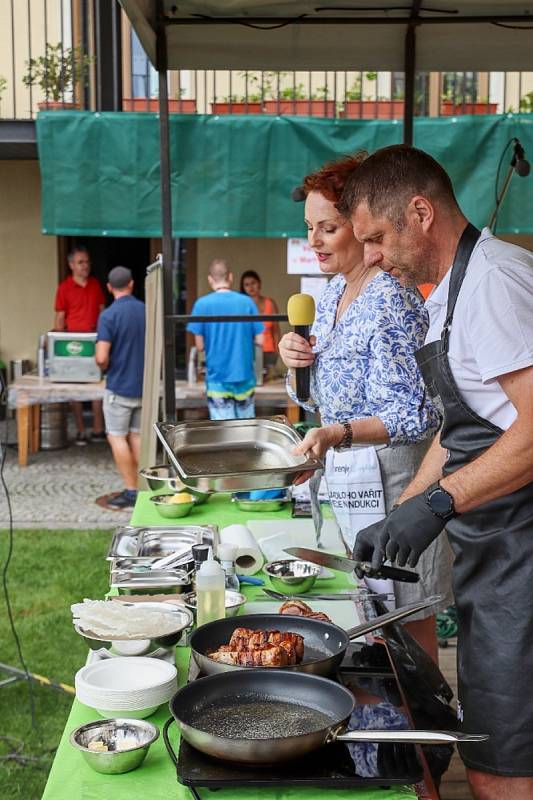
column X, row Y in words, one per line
column 266, row 716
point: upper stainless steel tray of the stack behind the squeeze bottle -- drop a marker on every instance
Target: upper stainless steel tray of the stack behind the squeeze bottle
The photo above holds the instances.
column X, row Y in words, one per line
column 145, row 544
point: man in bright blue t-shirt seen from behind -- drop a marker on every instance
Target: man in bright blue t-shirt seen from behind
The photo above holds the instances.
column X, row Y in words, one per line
column 228, row 346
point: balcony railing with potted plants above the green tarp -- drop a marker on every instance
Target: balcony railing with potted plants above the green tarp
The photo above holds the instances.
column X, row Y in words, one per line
column 47, row 60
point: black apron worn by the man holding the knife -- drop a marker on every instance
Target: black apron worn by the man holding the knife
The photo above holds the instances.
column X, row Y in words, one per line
column 492, row 575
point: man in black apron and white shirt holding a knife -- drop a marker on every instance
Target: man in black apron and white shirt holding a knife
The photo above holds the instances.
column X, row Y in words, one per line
column 477, row 478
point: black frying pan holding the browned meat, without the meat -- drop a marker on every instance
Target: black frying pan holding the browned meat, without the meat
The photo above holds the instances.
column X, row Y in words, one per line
column 324, row 643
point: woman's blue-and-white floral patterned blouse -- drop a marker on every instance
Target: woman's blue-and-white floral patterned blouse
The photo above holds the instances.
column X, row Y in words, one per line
column 365, row 364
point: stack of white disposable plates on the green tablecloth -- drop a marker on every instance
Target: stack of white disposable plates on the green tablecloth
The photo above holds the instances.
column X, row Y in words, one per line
column 137, row 686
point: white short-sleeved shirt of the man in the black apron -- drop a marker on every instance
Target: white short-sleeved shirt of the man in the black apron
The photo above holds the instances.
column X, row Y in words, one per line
column 492, row 328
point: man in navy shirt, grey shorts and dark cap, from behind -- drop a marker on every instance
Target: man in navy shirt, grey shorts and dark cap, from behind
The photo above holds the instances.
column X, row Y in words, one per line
column 120, row 351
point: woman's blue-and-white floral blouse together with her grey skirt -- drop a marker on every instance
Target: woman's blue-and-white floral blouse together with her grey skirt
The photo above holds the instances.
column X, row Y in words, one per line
column 365, row 367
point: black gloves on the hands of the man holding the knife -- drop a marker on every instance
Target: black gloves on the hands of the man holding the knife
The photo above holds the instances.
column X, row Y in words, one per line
column 402, row 536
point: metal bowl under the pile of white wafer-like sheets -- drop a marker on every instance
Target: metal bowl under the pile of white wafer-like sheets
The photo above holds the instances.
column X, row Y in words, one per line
column 138, row 644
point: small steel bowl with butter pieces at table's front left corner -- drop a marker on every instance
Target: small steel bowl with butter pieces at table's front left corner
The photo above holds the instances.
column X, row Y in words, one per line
column 115, row 733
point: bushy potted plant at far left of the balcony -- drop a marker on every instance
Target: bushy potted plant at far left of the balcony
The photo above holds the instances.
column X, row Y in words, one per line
column 57, row 73
